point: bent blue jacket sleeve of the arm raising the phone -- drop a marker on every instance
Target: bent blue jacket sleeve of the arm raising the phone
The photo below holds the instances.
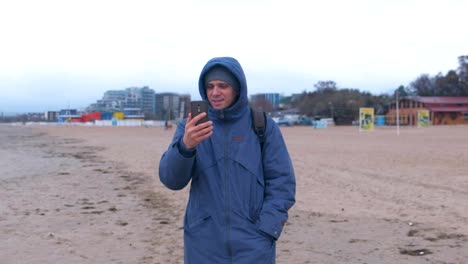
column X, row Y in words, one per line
column 176, row 164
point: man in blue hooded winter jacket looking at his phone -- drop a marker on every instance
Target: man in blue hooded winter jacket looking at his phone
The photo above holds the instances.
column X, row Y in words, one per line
column 240, row 194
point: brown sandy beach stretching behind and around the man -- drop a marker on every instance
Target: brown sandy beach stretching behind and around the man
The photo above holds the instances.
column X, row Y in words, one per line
column 92, row 195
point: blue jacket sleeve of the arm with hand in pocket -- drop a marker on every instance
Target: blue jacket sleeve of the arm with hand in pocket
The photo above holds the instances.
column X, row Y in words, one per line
column 280, row 183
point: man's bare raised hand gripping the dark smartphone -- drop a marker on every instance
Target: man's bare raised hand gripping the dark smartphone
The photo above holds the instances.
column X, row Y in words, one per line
column 194, row 134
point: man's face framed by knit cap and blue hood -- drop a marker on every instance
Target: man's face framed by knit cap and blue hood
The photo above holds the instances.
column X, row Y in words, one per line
column 220, row 94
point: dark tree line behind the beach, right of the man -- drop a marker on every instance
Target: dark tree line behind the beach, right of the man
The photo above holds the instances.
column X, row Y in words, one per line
column 342, row 104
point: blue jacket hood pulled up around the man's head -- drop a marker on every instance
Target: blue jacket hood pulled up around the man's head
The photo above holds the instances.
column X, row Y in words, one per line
column 241, row 104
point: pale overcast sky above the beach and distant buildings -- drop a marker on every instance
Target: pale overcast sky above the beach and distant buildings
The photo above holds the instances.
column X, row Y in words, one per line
column 57, row 54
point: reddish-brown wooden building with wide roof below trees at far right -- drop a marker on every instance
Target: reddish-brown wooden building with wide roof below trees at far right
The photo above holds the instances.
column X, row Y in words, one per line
column 442, row 110
